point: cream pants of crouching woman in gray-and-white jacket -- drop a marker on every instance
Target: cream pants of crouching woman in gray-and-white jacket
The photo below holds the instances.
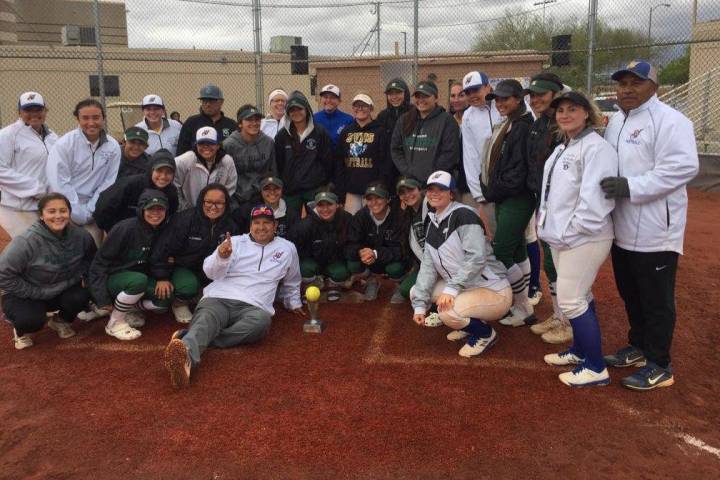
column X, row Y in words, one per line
column 481, row 303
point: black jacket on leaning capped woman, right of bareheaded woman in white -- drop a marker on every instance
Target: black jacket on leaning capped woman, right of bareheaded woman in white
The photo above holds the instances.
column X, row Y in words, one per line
column 120, row 201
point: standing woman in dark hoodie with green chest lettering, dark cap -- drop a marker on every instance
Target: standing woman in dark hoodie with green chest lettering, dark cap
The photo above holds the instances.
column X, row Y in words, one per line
column 426, row 138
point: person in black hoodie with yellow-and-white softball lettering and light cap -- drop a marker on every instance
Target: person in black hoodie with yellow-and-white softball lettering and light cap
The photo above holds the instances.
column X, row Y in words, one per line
column 362, row 155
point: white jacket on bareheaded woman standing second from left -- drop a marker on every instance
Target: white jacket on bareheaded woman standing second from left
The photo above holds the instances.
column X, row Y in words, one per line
column 81, row 171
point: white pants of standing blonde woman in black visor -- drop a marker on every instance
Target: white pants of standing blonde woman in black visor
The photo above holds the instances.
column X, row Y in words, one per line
column 577, row 269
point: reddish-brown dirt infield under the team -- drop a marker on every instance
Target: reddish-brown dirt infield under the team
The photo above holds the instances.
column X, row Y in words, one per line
column 373, row 397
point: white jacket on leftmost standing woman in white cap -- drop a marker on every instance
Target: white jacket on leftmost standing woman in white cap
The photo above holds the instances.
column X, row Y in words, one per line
column 23, row 159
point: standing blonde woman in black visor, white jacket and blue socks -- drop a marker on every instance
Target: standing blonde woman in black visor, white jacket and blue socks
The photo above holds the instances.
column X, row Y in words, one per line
column 574, row 219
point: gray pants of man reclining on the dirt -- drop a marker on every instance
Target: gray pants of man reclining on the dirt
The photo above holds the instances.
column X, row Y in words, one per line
column 224, row 323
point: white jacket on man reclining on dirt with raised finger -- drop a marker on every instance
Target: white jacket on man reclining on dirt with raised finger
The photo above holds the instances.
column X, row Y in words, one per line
column 254, row 273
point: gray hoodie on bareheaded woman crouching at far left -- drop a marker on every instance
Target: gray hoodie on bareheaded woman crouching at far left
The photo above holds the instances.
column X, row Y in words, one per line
column 41, row 265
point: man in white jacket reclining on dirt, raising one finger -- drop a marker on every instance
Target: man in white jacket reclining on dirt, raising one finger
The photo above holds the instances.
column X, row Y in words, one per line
column 247, row 272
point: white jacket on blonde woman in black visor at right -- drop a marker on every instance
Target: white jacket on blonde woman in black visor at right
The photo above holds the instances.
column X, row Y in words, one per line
column 574, row 211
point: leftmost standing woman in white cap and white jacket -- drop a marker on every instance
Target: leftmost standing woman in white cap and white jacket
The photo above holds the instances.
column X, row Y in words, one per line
column 24, row 147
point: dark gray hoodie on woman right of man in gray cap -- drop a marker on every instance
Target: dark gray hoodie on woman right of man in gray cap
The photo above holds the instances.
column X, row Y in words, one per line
column 253, row 162
